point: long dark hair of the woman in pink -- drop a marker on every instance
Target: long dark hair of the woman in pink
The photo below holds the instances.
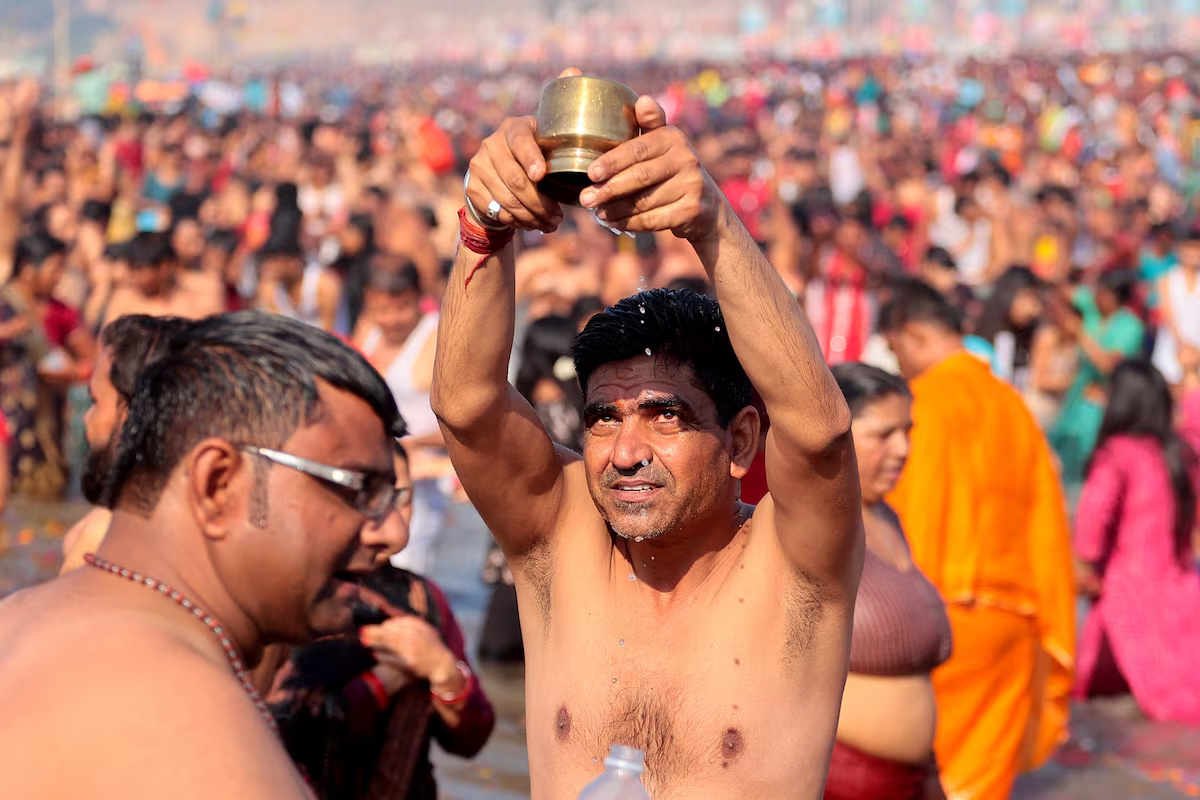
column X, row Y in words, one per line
column 1141, row 405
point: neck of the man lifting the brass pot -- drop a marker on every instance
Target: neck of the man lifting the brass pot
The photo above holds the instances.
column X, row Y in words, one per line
column 677, row 563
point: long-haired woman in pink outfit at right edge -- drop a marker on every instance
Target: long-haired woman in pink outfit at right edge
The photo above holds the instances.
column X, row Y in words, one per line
column 1133, row 537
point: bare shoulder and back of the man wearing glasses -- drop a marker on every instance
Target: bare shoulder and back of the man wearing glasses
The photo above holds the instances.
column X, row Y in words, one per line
column 135, row 712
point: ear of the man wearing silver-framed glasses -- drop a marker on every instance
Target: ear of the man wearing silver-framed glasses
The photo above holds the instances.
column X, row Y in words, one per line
column 220, row 483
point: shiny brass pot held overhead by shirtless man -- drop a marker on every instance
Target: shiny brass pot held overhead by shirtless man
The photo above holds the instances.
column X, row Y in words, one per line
column 579, row 121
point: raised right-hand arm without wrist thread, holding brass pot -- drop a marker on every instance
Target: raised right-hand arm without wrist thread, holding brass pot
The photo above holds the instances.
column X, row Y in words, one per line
column 656, row 183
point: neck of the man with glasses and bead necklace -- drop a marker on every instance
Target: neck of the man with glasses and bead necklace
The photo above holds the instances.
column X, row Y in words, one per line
column 137, row 544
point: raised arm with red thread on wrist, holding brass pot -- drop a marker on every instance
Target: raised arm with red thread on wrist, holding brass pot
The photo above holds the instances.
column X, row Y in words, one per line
column 500, row 449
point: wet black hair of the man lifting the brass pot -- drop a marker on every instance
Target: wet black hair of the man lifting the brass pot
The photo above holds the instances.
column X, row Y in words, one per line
column 681, row 326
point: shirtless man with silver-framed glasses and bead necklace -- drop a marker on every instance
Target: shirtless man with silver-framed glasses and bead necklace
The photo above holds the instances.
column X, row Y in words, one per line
column 255, row 456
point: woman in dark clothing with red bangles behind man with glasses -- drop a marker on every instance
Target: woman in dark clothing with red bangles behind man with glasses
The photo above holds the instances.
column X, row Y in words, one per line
column 358, row 713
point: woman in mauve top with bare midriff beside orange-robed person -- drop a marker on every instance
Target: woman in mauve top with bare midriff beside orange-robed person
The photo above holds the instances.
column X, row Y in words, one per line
column 885, row 748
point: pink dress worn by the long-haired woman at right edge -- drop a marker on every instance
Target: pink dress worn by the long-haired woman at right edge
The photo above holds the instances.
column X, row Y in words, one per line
column 1150, row 605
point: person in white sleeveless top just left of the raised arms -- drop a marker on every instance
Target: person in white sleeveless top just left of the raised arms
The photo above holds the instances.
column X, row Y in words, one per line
column 400, row 341
